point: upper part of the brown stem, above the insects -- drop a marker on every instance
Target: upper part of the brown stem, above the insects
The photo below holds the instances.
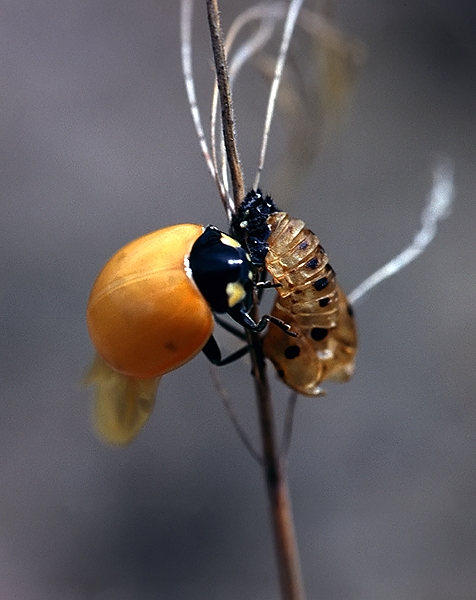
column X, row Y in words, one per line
column 227, row 116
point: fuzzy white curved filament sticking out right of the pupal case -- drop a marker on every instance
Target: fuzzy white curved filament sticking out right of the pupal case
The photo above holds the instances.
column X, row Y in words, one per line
column 438, row 207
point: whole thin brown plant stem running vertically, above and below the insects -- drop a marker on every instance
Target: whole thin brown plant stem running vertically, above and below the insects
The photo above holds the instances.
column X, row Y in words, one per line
column 281, row 515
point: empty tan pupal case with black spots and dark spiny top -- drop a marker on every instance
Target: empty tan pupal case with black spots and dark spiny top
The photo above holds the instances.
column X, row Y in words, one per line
column 308, row 297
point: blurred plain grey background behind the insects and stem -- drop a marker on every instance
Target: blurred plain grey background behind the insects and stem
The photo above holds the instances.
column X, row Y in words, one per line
column 97, row 148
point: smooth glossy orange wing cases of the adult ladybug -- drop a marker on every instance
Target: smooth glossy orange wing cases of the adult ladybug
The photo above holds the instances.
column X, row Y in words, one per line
column 145, row 314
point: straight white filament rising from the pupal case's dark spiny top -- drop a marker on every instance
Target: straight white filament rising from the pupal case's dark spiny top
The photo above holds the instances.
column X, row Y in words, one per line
column 291, row 17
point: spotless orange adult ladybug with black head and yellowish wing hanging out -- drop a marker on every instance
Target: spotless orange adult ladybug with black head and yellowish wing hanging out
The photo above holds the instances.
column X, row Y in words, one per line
column 151, row 310
